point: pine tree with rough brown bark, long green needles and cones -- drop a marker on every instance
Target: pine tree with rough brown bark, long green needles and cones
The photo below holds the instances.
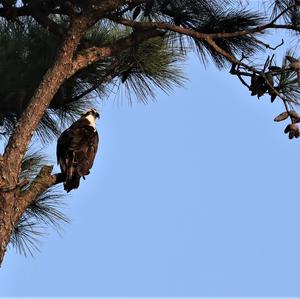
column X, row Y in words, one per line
column 57, row 57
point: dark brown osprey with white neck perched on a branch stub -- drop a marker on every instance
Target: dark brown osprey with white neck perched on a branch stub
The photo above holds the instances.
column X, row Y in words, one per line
column 76, row 149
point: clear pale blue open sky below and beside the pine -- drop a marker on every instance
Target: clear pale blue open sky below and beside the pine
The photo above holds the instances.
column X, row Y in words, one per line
column 193, row 195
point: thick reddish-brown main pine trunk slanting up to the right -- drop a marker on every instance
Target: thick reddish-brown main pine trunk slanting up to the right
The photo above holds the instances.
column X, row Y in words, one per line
column 18, row 142
